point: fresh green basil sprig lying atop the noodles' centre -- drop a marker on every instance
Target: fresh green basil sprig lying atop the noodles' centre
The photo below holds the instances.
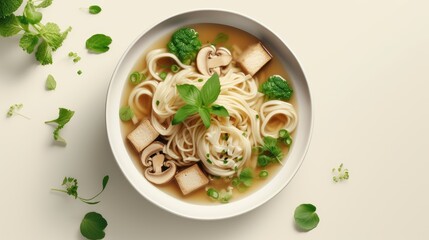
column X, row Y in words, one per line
column 200, row 102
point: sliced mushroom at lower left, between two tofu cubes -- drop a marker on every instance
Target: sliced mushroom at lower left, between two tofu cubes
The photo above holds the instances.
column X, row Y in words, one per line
column 158, row 170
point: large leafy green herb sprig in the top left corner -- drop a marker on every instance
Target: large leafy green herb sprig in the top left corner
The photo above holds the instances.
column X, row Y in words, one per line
column 42, row 38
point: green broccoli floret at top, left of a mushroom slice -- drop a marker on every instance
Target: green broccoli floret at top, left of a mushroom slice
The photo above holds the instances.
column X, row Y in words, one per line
column 185, row 44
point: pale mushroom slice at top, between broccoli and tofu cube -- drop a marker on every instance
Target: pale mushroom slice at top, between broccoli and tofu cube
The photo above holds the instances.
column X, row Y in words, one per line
column 209, row 60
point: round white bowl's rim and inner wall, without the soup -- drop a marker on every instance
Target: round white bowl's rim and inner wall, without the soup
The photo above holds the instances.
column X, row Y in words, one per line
column 295, row 155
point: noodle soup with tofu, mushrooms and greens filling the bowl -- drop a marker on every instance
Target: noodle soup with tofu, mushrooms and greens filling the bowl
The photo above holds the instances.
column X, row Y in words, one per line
column 250, row 124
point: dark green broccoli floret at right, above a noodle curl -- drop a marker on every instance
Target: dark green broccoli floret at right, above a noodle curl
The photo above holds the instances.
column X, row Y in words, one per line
column 276, row 88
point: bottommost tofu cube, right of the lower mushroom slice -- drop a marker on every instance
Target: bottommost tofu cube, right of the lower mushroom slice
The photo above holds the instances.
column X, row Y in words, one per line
column 191, row 179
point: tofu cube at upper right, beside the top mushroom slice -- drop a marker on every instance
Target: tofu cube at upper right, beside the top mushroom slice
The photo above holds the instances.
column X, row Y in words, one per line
column 254, row 58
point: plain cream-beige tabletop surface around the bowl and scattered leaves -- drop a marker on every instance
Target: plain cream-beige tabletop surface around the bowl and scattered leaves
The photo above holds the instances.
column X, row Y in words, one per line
column 367, row 65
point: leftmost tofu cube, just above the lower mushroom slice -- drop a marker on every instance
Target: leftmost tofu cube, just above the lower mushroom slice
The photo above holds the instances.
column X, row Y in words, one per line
column 143, row 135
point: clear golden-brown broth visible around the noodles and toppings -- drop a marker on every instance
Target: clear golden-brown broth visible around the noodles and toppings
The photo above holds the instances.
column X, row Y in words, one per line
column 207, row 33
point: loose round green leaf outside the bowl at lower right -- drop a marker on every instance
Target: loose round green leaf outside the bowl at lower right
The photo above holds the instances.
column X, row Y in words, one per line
column 306, row 217
